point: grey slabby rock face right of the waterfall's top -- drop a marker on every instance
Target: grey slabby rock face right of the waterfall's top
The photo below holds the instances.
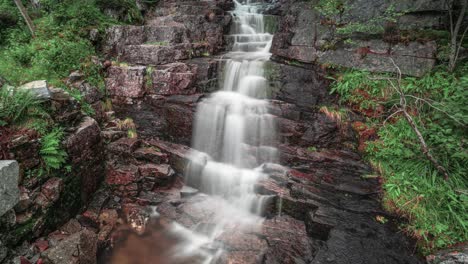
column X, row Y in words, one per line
column 305, row 36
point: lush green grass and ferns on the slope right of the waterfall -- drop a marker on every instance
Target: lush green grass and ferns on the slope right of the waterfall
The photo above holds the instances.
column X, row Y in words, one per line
column 435, row 209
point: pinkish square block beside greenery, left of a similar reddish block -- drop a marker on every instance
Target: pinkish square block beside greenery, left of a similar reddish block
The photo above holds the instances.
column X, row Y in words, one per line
column 126, row 82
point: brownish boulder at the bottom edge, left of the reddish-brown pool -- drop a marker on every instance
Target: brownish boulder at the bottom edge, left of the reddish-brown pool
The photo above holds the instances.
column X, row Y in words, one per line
column 78, row 248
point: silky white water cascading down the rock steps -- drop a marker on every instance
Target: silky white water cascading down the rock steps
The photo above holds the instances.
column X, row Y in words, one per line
column 233, row 136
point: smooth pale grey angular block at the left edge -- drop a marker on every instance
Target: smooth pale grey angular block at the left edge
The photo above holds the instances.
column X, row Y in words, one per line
column 9, row 191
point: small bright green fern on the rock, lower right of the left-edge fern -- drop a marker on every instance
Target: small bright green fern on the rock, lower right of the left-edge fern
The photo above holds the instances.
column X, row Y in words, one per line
column 53, row 156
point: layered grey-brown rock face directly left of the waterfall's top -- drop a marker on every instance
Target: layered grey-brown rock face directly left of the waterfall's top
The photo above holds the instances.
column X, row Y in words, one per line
column 173, row 31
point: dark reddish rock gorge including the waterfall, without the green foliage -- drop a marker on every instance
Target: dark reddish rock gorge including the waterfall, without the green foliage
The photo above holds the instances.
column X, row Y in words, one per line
column 217, row 138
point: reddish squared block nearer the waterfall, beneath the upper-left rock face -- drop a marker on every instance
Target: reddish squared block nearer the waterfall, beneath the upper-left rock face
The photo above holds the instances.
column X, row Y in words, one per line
column 174, row 78
